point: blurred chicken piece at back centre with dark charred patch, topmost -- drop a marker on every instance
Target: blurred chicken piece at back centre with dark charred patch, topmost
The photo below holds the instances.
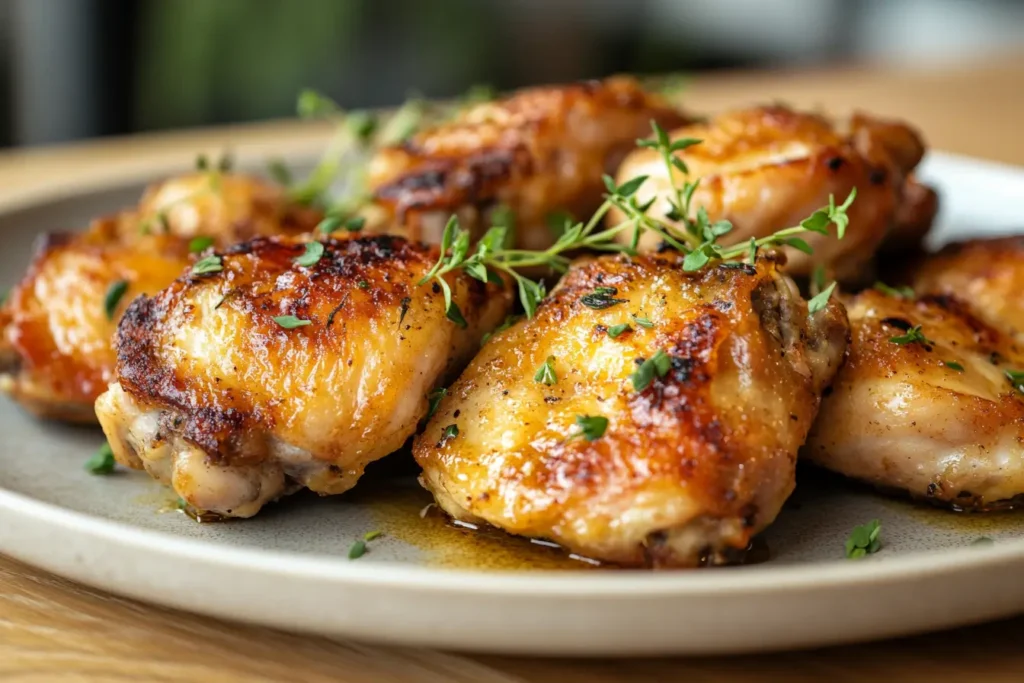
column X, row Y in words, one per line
column 537, row 152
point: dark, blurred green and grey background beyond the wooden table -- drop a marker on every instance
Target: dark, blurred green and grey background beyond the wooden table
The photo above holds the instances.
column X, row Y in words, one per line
column 78, row 69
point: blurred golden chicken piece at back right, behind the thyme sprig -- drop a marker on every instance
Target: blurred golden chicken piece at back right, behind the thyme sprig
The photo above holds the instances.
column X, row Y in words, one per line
column 771, row 167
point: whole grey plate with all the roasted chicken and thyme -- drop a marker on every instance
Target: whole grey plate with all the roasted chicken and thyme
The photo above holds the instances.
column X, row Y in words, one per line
column 529, row 371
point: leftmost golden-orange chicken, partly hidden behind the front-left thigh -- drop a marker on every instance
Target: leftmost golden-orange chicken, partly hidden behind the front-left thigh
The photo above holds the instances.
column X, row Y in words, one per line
column 57, row 355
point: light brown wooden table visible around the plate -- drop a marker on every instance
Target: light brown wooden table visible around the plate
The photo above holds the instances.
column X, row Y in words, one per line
column 52, row 630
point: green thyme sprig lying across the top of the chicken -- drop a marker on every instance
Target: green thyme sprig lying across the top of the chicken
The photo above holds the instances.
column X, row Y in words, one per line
column 681, row 228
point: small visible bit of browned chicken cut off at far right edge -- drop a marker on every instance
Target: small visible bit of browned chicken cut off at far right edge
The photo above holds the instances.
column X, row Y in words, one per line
column 988, row 274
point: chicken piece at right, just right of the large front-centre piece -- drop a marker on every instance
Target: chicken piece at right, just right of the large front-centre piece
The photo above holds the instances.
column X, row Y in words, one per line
column 900, row 418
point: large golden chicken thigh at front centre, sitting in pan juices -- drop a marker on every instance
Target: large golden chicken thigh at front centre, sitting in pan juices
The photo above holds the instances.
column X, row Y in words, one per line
column 691, row 467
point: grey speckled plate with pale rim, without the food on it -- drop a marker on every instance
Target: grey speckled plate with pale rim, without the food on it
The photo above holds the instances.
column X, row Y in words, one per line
column 428, row 583
